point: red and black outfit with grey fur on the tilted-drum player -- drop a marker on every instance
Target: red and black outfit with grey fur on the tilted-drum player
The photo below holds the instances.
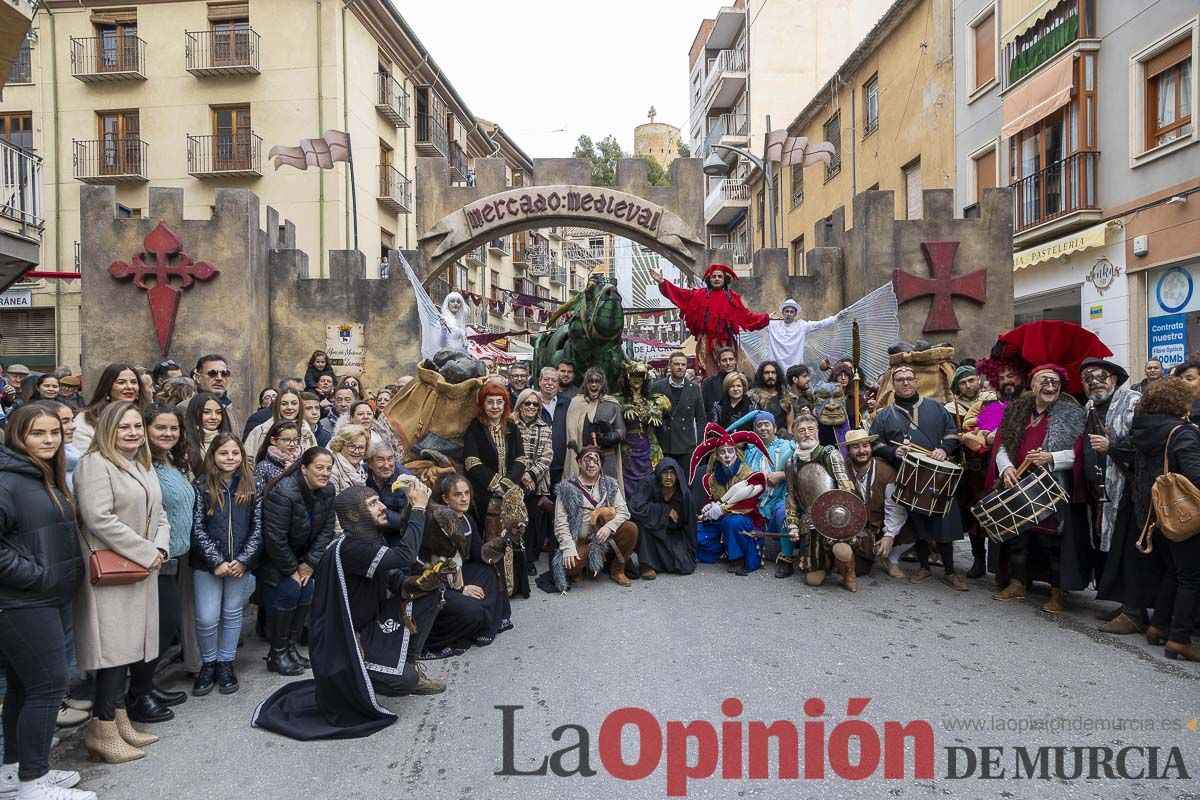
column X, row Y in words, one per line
column 1058, row 549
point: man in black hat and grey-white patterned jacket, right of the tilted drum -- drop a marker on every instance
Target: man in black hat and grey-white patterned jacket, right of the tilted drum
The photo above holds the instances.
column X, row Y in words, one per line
column 1124, row 574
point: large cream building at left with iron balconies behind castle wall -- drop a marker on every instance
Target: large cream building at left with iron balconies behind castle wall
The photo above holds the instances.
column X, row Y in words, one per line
column 194, row 94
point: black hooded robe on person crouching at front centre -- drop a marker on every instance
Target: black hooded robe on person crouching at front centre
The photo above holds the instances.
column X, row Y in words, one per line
column 663, row 545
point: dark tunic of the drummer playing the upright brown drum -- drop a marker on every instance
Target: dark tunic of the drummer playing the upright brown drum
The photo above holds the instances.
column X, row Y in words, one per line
column 927, row 424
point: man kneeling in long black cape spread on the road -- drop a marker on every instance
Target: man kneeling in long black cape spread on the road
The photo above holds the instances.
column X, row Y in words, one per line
column 369, row 622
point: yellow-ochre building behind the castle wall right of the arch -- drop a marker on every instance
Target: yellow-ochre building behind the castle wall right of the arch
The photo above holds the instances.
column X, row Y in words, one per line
column 881, row 111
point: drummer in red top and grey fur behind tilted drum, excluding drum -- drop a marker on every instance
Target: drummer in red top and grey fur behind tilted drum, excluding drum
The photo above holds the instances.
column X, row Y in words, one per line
column 1042, row 429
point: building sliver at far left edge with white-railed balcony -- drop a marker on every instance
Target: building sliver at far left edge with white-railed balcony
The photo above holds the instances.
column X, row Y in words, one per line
column 21, row 188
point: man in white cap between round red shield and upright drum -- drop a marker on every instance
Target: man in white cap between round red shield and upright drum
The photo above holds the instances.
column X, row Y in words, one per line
column 886, row 520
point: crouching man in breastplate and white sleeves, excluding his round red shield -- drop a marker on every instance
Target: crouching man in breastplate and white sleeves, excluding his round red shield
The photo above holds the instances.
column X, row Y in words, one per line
column 813, row 471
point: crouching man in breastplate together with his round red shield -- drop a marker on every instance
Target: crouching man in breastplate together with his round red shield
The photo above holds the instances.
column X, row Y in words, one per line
column 825, row 519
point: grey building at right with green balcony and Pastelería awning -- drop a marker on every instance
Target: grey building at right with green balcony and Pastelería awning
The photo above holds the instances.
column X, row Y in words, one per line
column 1087, row 111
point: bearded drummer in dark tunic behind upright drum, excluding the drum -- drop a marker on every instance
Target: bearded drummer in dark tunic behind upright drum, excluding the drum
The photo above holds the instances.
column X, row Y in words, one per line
column 917, row 425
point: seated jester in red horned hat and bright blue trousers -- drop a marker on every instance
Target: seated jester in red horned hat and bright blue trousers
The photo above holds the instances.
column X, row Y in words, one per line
column 730, row 508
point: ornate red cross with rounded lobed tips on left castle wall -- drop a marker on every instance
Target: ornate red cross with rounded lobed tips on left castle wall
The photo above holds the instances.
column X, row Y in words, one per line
column 164, row 298
